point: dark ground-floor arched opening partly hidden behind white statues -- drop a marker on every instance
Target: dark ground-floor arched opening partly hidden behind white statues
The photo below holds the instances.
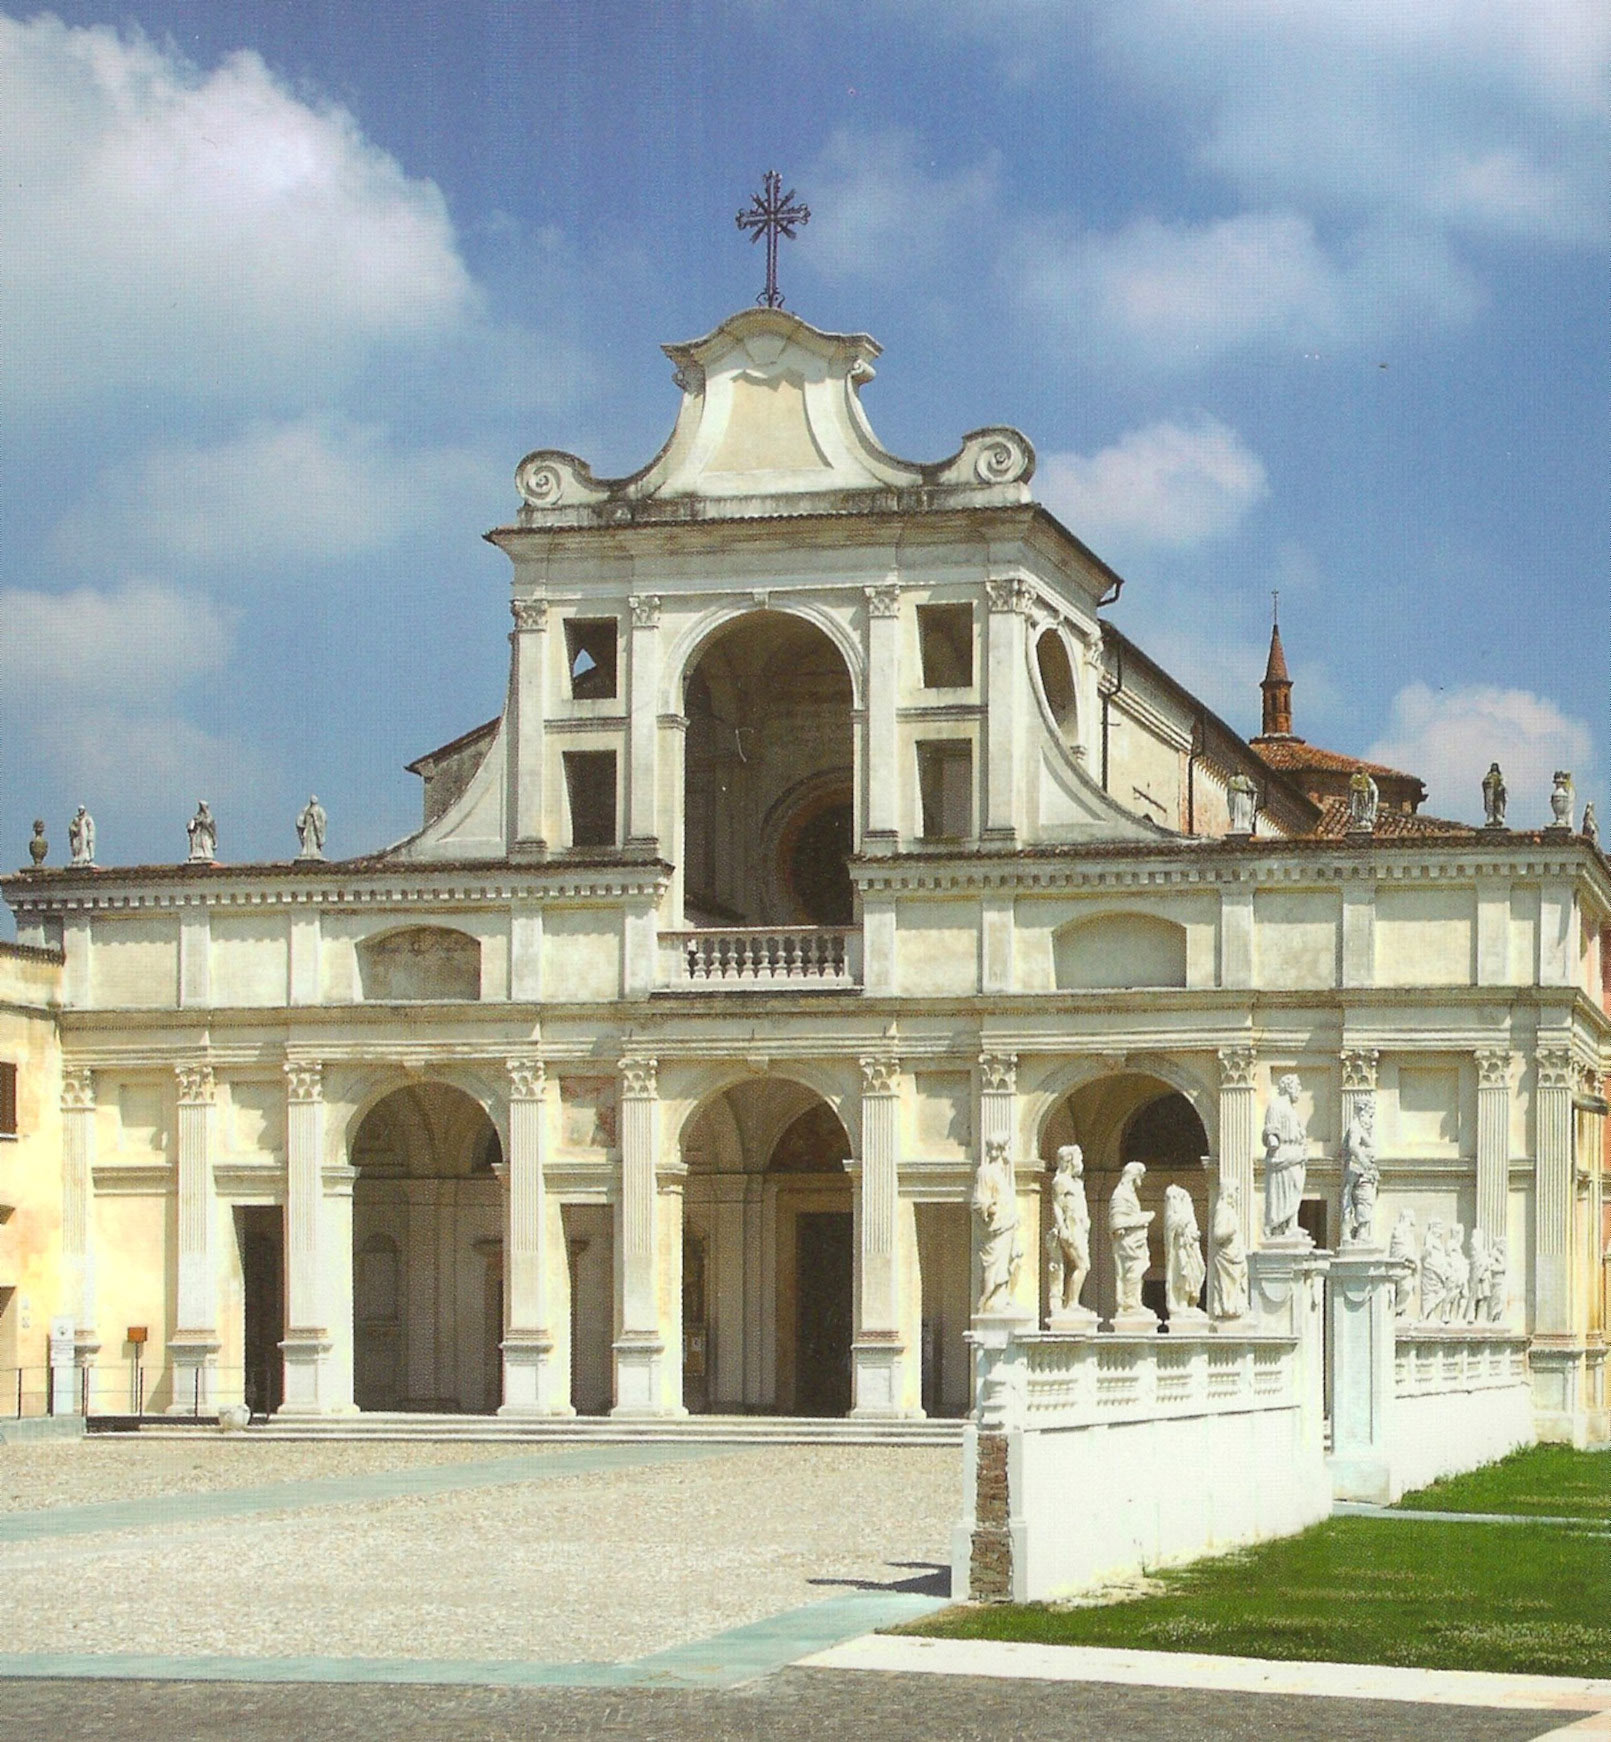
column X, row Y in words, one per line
column 1131, row 1119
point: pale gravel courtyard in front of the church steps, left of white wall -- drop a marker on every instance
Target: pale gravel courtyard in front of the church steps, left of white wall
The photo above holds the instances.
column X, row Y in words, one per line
column 537, row 1562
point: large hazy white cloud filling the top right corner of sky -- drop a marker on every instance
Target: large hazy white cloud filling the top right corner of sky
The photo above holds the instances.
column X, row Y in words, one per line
column 1480, row 116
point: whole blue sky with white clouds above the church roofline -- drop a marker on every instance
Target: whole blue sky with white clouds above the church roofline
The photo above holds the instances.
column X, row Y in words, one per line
column 1286, row 295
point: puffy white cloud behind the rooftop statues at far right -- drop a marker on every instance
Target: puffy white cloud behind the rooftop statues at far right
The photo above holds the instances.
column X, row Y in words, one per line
column 1450, row 738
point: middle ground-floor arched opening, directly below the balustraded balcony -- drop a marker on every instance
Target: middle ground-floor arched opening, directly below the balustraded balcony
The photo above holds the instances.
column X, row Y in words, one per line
column 769, row 1225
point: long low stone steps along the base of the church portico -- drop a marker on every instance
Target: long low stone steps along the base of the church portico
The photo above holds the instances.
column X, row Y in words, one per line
column 572, row 1431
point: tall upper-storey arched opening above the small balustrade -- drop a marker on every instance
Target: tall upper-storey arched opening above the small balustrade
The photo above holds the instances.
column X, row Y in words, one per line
column 769, row 778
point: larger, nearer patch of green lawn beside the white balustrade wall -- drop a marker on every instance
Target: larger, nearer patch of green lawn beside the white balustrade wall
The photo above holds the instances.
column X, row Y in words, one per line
column 1359, row 1591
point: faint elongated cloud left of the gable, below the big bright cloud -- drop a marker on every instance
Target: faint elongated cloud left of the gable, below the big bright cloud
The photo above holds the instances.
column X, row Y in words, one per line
column 306, row 492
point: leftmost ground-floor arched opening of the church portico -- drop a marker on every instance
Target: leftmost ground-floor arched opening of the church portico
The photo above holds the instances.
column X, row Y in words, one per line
column 428, row 1255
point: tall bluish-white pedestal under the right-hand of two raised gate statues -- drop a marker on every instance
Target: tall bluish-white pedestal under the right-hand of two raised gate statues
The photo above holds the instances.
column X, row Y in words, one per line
column 1363, row 1375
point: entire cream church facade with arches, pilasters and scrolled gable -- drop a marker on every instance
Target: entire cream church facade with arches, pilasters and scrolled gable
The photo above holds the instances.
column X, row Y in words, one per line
column 830, row 842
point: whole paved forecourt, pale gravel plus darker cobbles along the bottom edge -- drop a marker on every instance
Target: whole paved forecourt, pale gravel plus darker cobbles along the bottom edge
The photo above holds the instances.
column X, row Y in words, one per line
column 217, row 1588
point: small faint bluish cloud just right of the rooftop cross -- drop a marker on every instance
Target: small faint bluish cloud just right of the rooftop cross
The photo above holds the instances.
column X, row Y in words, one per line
column 880, row 212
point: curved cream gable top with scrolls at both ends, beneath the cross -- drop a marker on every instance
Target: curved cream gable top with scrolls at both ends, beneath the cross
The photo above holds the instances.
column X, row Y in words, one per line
column 772, row 424
